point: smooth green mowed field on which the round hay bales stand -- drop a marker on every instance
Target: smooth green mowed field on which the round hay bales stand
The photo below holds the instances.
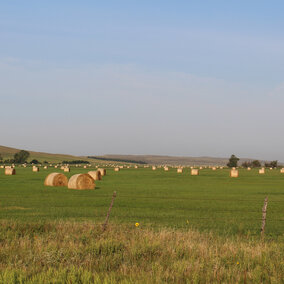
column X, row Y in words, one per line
column 211, row 201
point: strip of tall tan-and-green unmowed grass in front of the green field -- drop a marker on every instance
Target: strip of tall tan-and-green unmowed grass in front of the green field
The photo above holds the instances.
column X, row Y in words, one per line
column 66, row 252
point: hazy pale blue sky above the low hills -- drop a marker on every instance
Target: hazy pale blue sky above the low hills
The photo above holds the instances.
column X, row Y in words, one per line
column 180, row 78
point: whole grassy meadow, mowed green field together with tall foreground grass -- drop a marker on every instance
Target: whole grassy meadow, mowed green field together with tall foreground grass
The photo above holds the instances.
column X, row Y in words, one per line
column 164, row 227
